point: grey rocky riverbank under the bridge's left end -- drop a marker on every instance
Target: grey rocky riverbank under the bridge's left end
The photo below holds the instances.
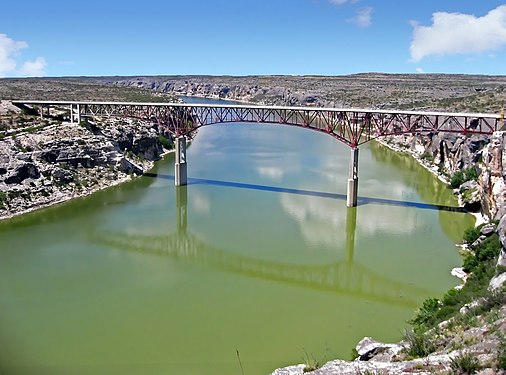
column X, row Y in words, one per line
column 62, row 161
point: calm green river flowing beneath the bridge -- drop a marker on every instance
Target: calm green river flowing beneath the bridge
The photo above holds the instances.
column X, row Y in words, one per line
column 257, row 262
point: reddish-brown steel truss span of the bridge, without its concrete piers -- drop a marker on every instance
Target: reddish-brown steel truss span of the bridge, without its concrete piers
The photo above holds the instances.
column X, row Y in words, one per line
column 353, row 127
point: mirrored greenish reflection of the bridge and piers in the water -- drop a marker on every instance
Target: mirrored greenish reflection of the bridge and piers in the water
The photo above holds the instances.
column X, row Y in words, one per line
column 342, row 277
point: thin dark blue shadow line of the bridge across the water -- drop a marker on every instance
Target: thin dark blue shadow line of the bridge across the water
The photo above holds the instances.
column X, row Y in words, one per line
column 362, row 201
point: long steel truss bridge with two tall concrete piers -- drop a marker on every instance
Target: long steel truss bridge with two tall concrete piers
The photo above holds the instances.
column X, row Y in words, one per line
column 352, row 126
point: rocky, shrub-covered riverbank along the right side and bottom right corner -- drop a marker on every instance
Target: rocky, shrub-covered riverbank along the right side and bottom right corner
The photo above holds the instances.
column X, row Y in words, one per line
column 463, row 332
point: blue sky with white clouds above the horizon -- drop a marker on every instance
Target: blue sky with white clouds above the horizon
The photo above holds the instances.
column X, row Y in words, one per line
column 251, row 37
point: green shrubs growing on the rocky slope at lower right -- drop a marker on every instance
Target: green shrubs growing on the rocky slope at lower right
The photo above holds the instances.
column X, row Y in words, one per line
column 426, row 336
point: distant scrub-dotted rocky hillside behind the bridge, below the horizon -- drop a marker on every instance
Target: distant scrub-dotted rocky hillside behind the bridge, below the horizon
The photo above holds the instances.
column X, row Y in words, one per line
column 372, row 90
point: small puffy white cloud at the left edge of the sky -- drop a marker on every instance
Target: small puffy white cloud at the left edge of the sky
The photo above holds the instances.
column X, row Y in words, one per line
column 9, row 51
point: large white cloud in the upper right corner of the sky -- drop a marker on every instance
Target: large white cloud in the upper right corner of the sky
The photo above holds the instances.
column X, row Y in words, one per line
column 457, row 33
